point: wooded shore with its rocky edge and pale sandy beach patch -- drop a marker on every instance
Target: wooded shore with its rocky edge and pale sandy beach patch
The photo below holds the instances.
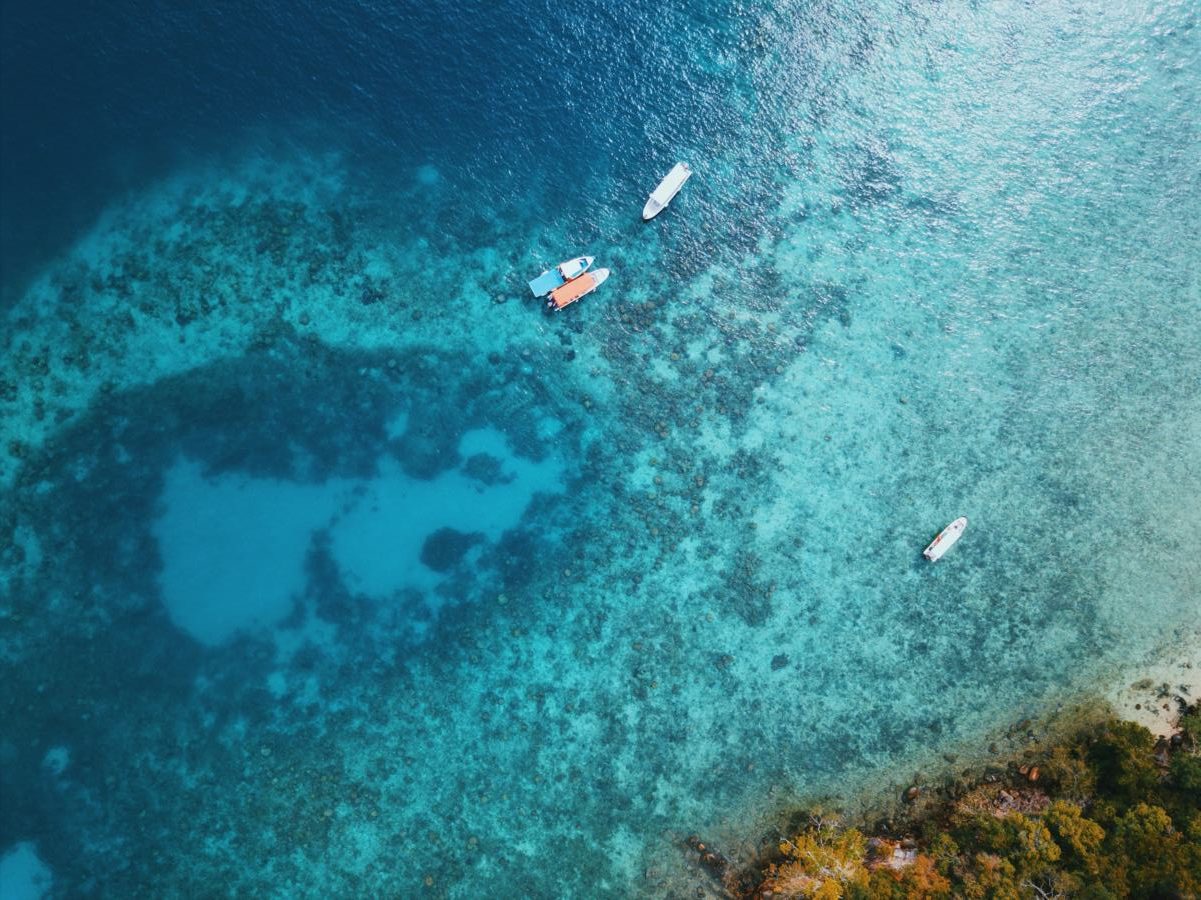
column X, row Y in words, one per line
column 939, row 837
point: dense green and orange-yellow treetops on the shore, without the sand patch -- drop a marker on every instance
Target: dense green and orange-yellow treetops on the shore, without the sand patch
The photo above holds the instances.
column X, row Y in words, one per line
column 1109, row 813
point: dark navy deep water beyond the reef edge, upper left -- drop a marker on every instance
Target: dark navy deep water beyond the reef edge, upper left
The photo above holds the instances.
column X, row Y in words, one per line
column 503, row 98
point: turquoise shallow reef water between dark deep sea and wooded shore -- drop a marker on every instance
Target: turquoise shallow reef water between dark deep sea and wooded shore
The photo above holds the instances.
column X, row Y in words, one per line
column 332, row 565
